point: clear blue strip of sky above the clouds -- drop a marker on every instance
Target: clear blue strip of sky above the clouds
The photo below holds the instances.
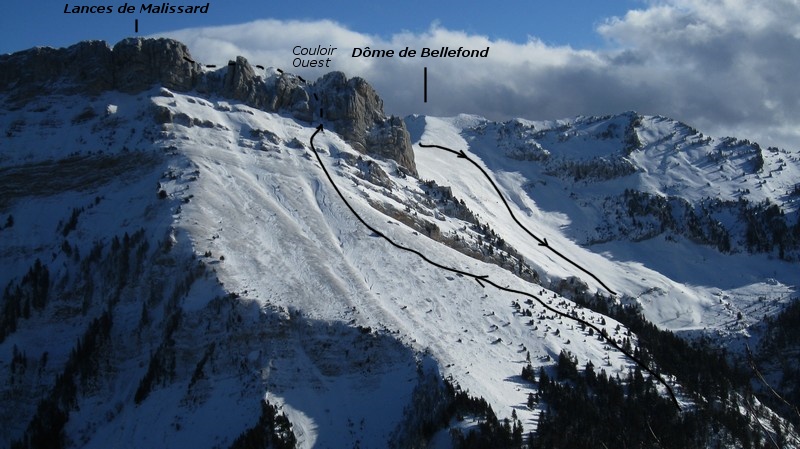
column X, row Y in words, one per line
column 565, row 22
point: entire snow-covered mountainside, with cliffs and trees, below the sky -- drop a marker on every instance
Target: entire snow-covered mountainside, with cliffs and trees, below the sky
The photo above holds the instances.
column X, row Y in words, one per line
column 179, row 271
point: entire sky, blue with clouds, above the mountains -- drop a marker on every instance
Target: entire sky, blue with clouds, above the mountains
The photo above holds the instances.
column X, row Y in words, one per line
column 726, row 67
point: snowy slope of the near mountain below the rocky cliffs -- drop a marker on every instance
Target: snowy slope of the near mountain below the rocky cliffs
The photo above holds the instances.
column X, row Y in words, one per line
column 327, row 321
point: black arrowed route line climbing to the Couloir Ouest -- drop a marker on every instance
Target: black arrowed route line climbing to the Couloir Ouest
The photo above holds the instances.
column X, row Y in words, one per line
column 485, row 279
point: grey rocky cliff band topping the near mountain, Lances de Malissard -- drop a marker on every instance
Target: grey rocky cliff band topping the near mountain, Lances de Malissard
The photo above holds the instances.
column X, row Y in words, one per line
column 352, row 106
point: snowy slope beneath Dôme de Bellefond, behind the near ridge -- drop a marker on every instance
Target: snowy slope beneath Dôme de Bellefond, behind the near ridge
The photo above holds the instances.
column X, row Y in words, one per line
column 680, row 284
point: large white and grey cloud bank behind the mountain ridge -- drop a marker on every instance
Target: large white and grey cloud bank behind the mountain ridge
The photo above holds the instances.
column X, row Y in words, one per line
column 728, row 67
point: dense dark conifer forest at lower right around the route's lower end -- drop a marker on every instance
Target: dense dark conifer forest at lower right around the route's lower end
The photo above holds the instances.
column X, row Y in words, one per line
column 584, row 408
